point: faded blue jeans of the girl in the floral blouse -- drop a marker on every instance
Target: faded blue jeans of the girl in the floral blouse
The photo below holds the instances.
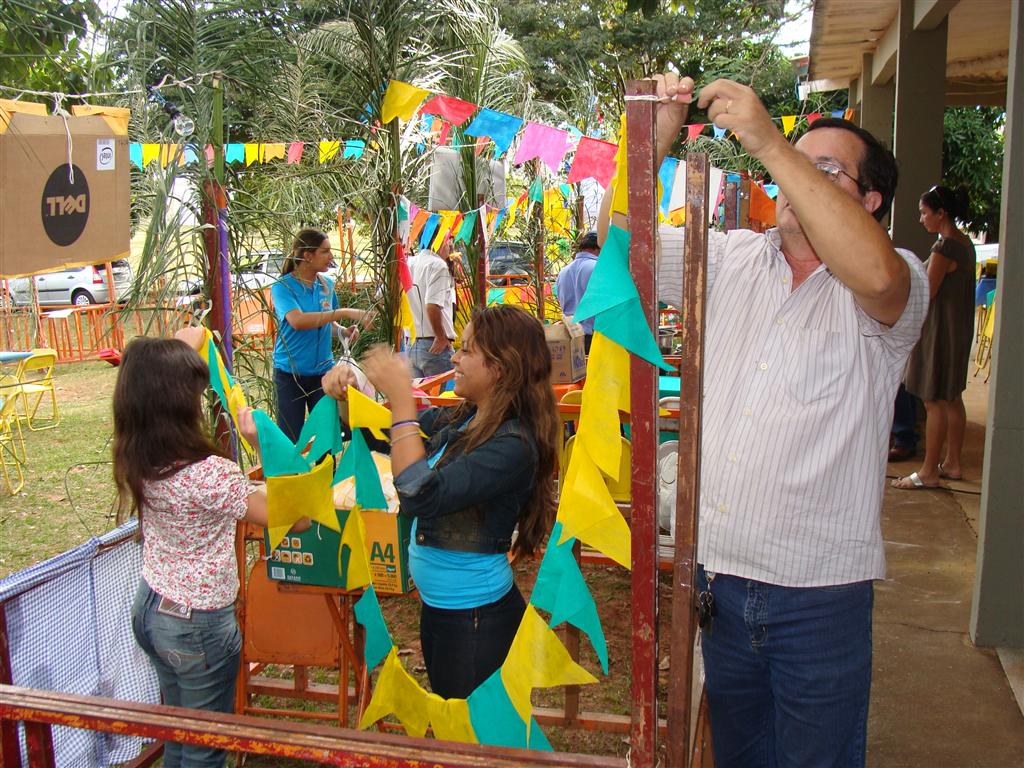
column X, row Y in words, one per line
column 197, row 664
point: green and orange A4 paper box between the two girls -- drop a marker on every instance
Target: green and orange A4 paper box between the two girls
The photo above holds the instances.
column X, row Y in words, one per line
column 312, row 558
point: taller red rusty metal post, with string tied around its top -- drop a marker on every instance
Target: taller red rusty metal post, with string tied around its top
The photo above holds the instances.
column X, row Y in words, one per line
column 644, row 431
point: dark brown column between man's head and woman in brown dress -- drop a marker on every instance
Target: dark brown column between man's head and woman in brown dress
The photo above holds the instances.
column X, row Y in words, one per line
column 921, row 94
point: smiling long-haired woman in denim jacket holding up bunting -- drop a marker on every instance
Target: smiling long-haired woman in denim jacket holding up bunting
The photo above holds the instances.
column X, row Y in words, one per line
column 480, row 486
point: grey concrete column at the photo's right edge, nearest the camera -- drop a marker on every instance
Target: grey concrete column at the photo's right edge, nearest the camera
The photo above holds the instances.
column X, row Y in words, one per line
column 998, row 609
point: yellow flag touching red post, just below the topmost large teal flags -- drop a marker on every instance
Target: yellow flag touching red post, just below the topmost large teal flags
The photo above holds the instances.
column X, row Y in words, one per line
column 605, row 394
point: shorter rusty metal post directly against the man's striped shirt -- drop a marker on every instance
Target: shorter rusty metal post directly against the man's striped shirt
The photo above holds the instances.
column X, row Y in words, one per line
column 689, row 478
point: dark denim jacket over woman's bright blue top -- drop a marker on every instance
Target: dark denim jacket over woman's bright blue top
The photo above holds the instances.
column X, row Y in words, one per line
column 470, row 502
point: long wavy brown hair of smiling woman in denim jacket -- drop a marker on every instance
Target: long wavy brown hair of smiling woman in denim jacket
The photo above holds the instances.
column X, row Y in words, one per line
column 514, row 344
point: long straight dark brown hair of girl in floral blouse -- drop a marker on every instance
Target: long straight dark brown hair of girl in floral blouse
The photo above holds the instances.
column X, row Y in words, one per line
column 159, row 425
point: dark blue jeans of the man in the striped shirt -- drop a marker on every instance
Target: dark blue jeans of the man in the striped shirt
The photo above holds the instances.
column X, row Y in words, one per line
column 789, row 673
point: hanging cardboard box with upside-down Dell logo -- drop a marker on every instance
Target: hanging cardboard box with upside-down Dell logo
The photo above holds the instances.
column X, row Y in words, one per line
column 50, row 221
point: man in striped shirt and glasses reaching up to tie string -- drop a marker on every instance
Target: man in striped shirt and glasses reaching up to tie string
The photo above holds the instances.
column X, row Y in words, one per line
column 809, row 327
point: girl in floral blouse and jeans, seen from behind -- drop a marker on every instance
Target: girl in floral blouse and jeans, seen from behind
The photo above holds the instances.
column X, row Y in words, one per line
column 189, row 497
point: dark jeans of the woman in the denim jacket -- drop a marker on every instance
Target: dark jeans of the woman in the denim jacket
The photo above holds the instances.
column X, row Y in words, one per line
column 462, row 649
